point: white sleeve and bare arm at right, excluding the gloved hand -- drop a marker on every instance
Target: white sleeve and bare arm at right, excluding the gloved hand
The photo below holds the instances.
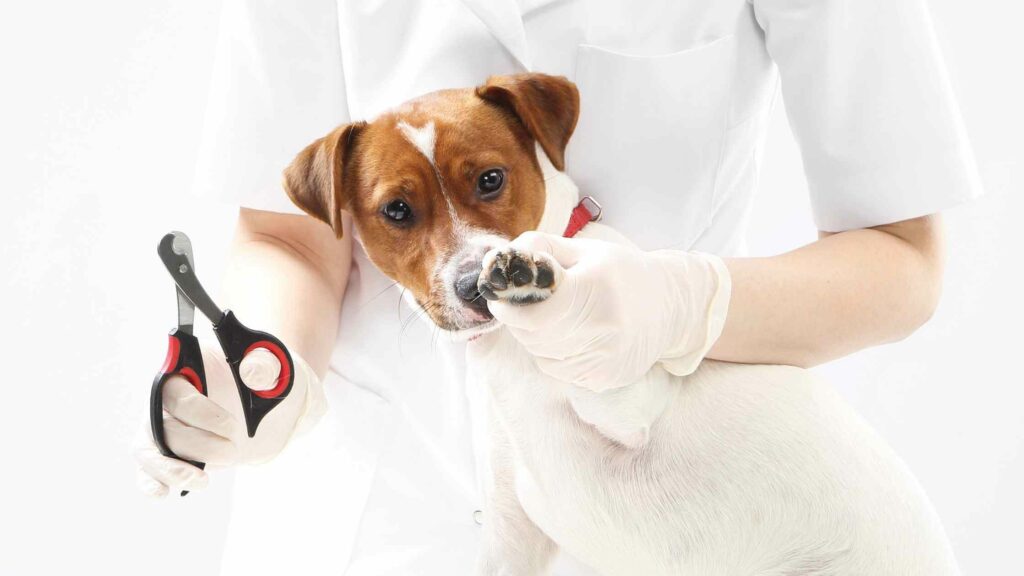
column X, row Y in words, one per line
column 870, row 104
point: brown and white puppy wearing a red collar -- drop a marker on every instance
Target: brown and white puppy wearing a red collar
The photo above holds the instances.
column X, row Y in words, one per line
column 737, row 470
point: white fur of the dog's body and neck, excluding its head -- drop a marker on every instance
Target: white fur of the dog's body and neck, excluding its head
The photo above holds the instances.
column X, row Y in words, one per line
column 736, row 470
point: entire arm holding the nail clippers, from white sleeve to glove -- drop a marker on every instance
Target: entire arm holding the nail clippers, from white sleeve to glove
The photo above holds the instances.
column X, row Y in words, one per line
column 285, row 274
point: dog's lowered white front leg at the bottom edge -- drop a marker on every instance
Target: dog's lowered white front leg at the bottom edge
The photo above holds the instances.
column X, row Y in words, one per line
column 513, row 545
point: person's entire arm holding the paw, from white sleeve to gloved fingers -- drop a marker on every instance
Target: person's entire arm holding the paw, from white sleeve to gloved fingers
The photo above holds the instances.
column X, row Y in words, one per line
column 881, row 140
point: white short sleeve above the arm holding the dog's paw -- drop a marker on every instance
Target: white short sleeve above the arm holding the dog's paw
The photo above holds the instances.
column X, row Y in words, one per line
column 872, row 108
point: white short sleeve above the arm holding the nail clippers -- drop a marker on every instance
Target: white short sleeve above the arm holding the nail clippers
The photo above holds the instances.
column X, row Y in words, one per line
column 278, row 86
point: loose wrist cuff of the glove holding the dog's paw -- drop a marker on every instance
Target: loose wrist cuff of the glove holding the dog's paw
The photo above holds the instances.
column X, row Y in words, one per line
column 702, row 287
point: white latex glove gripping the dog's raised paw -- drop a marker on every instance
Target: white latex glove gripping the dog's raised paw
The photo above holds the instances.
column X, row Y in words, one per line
column 618, row 311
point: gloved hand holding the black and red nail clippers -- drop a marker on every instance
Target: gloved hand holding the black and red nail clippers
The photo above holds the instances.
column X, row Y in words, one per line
column 212, row 430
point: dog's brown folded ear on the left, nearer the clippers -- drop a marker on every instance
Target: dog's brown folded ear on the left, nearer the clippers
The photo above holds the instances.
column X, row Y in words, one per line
column 315, row 180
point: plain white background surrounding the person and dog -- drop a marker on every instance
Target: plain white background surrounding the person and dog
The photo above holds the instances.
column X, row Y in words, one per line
column 101, row 107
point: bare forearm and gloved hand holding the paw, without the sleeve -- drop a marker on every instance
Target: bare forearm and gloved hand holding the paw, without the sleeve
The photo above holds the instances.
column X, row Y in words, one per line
column 617, row 311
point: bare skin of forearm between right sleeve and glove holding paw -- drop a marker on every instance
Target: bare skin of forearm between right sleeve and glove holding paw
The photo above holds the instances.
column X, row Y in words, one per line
column 843, row 294
